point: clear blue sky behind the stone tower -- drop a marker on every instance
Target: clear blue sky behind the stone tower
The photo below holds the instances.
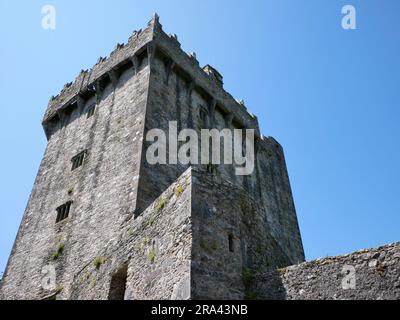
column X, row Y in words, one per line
column 329, row 95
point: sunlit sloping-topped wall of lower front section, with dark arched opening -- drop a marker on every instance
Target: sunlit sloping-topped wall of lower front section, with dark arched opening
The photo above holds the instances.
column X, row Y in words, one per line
column 155, row 249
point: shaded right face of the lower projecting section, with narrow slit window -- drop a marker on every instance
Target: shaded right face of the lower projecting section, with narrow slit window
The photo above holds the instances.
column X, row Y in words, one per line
column 230, row 238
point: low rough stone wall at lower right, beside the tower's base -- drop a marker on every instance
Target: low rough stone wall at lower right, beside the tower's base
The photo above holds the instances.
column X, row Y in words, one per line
column 372, row 274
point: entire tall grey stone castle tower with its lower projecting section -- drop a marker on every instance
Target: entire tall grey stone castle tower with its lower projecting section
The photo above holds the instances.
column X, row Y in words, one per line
column 102, row 223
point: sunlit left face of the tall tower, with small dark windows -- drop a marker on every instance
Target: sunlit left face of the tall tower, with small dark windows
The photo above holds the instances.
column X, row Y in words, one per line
column 103, row 189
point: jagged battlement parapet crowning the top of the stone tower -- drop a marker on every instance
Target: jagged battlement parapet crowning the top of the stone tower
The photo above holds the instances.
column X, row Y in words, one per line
column 144, row 44
